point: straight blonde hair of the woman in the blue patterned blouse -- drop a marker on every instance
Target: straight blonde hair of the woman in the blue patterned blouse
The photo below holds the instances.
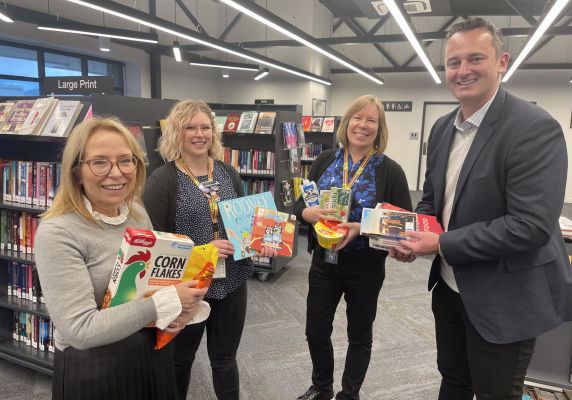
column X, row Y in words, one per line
column 382, row 132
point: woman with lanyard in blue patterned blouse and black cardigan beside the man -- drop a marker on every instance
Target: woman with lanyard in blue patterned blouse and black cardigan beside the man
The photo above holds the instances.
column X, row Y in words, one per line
column 354, row 270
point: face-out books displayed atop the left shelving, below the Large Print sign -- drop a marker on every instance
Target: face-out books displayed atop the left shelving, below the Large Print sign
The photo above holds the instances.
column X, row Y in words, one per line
column 43, row 116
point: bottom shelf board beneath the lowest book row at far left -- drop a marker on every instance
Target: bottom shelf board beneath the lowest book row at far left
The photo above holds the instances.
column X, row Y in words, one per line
column 26, row 356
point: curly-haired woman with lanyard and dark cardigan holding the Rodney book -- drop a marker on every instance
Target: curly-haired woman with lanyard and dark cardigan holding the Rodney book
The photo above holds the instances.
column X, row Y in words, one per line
column 182, row 197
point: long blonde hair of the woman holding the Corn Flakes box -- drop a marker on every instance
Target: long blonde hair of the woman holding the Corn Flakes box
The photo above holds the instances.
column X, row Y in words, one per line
column 69, row 197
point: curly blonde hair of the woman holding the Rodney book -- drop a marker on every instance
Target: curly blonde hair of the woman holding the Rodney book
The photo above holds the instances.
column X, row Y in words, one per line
column 170, row 142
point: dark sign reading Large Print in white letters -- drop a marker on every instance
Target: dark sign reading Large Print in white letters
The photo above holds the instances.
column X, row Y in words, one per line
column 77, row 85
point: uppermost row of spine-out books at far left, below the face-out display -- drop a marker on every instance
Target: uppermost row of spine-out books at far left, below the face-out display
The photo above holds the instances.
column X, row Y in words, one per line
column 29, row 183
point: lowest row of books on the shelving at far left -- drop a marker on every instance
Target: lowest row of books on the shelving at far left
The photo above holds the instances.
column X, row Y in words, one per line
column 34, row 331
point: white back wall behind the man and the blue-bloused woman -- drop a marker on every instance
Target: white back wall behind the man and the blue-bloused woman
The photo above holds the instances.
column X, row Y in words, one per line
column 550, row 89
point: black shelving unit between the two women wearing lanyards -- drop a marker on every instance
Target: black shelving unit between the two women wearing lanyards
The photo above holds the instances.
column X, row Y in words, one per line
column 274, row 143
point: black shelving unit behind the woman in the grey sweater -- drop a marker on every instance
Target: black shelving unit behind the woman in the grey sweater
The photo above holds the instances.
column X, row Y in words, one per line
column 146, row 112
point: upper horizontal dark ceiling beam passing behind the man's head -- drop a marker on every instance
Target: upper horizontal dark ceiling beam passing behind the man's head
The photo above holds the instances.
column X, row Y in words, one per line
column 388, row 38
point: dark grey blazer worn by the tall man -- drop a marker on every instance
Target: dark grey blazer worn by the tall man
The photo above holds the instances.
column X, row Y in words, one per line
column 504, row 242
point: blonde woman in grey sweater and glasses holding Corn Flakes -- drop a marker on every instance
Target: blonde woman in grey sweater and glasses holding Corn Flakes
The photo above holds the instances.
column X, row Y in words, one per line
column 103, row 354
